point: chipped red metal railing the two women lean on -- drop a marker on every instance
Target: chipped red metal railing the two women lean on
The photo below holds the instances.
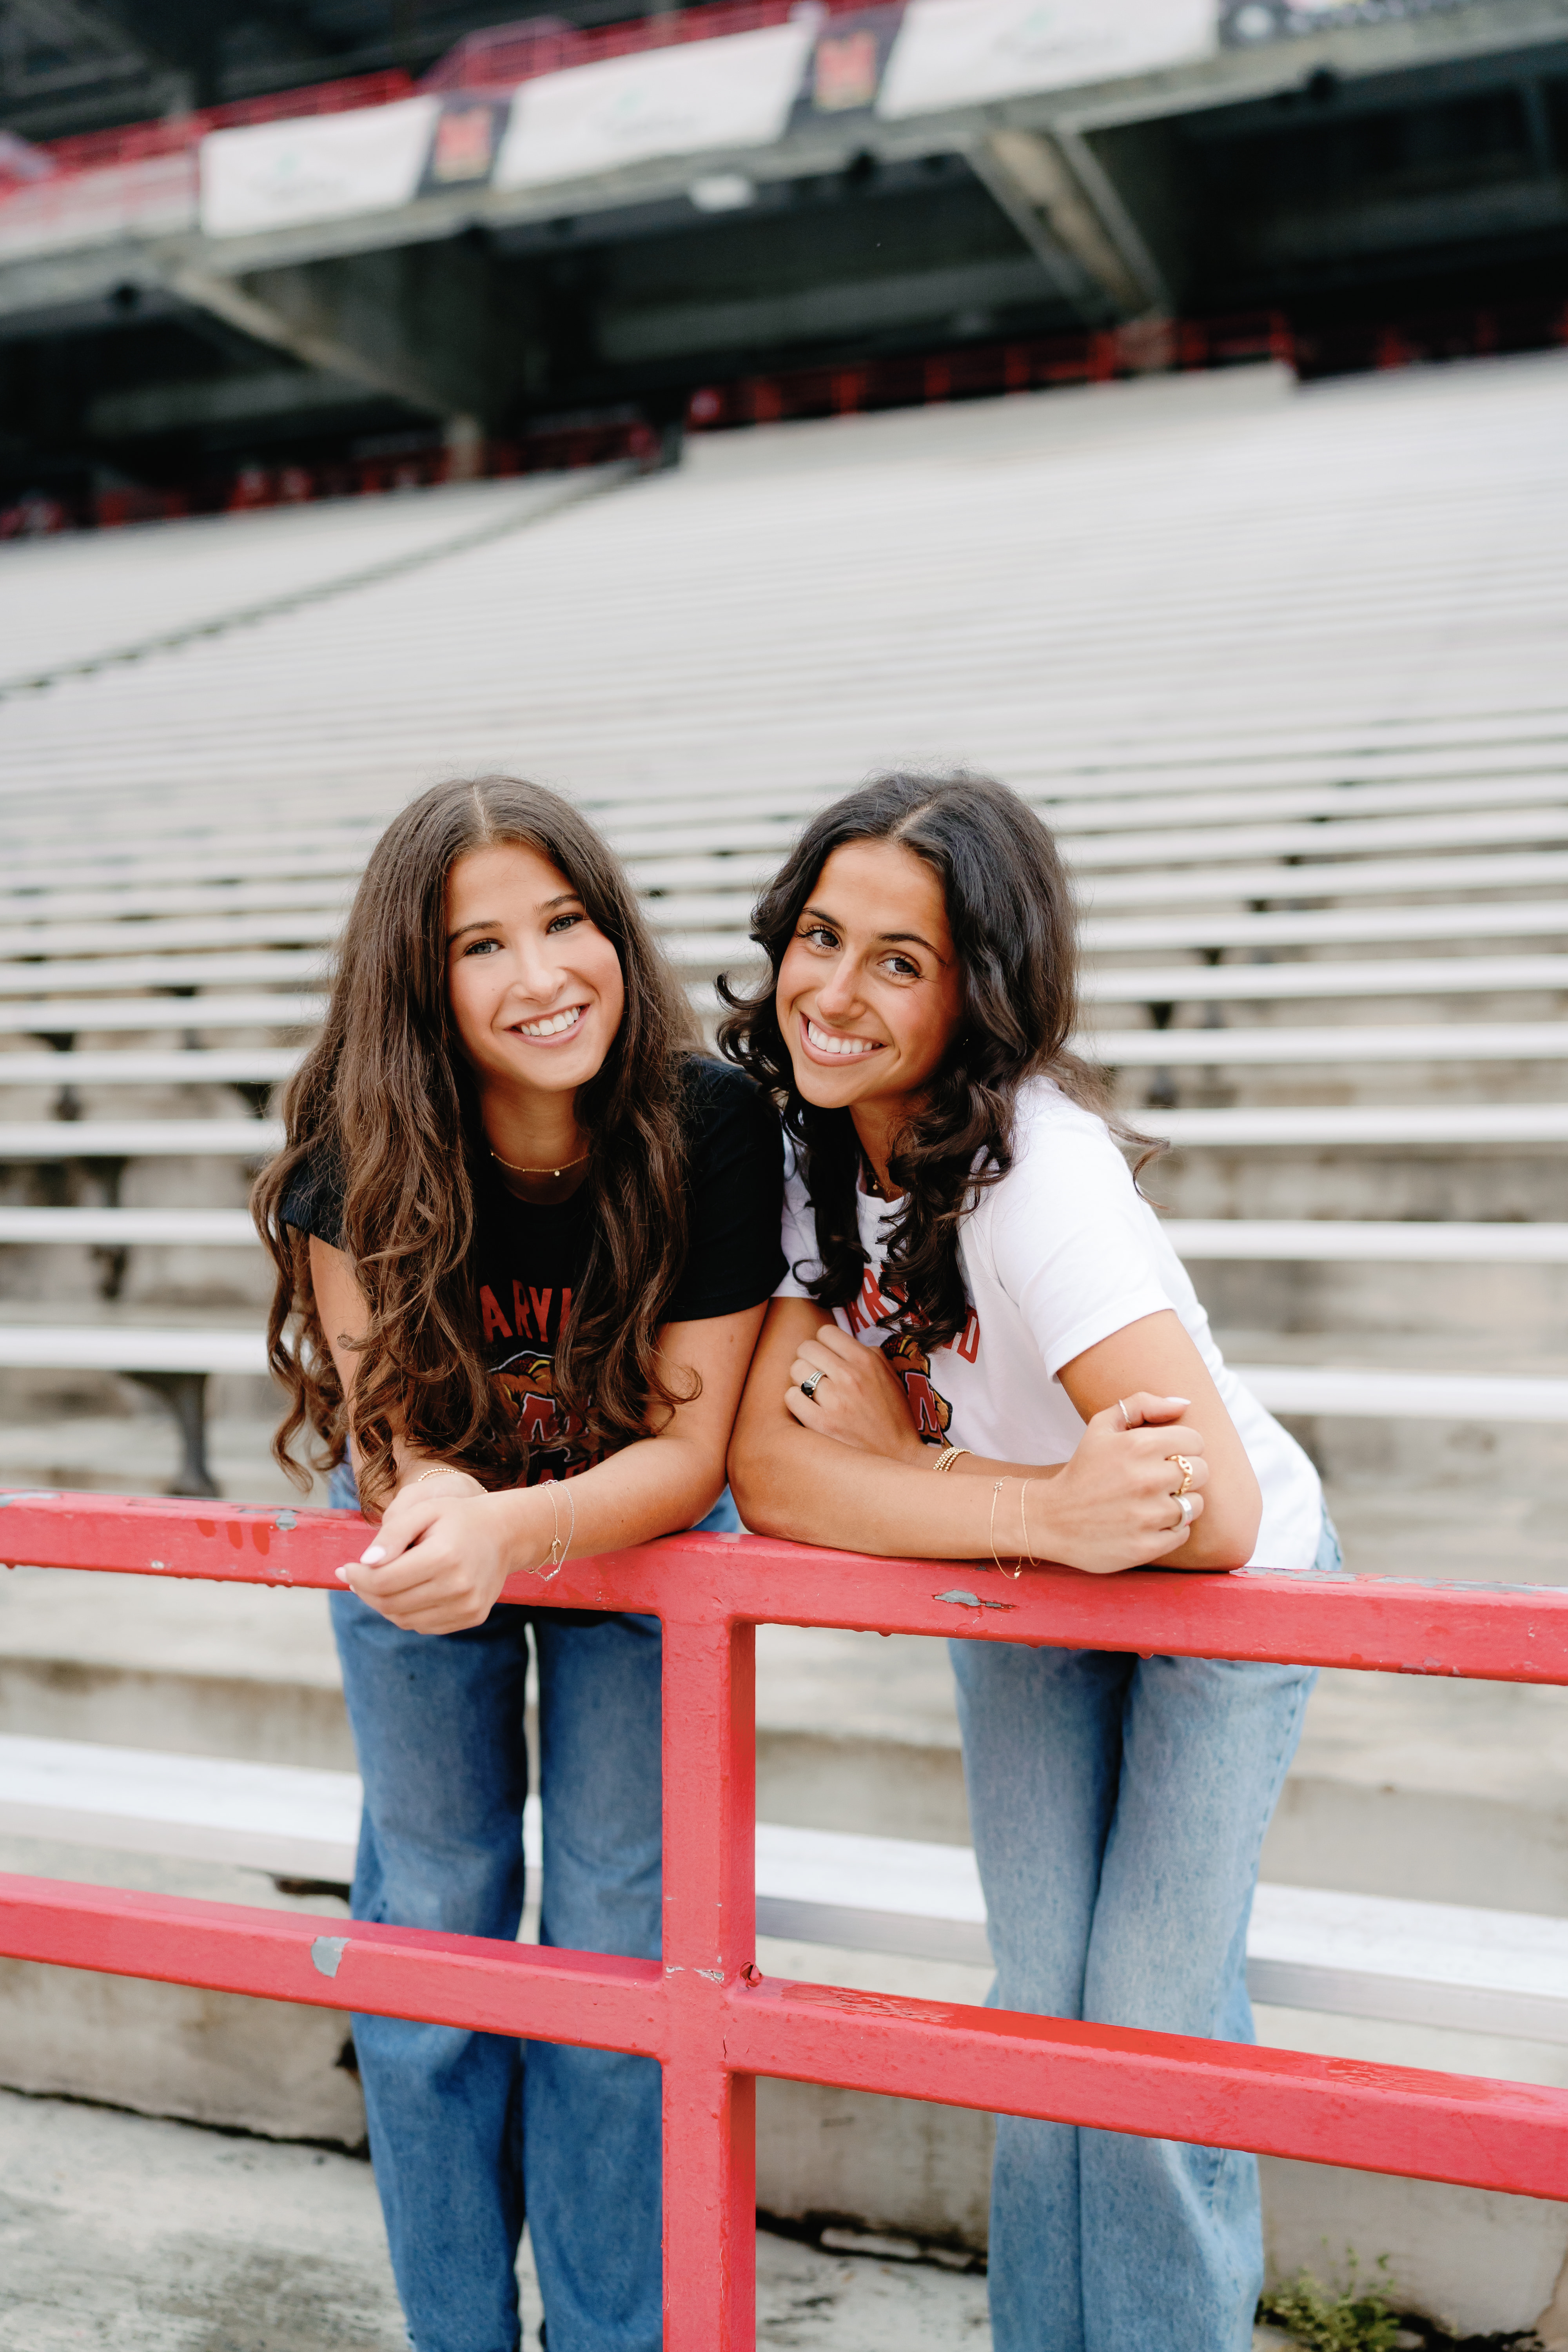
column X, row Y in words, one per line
column 706, row 2012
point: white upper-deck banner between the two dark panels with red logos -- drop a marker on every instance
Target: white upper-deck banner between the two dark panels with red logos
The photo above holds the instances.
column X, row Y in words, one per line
column 688, row 100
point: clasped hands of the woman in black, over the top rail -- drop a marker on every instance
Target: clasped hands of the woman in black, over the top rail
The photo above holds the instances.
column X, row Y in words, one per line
column 445, row 1549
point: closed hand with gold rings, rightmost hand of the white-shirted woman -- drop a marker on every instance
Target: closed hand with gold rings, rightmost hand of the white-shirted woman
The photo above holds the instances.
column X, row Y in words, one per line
column 1113, row 1506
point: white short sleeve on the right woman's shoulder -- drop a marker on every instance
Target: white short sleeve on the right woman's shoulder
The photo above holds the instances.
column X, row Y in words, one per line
column 1073, row 1243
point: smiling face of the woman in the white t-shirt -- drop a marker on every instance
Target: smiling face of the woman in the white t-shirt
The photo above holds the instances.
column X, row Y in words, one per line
column 871, row 989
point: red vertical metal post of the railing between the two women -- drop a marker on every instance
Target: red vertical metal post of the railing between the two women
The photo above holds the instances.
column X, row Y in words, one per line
column 709, row 1942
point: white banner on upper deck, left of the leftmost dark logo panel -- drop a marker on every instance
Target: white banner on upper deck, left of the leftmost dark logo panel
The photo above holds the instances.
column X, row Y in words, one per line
column 316, row 168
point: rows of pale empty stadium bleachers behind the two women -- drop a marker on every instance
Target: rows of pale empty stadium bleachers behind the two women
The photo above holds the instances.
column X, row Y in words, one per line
column 1282, row 671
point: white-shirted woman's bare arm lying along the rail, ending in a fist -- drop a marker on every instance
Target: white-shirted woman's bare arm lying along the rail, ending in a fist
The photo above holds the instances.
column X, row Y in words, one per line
column 1108, row 1509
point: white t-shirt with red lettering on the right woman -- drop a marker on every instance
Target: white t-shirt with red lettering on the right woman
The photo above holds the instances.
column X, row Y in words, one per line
column 1057, row 1257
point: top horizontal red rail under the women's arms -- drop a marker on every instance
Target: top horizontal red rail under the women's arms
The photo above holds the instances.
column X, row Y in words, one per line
column 1503, row 1633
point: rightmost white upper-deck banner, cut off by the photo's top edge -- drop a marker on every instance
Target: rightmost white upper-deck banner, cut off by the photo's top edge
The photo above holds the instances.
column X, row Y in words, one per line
column 963, row 53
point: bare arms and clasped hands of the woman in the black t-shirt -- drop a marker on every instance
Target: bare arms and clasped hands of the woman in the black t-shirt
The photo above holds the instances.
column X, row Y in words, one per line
column 445, row 1551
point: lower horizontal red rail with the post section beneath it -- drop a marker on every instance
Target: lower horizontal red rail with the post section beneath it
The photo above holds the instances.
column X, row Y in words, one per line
column 721, row 2036
